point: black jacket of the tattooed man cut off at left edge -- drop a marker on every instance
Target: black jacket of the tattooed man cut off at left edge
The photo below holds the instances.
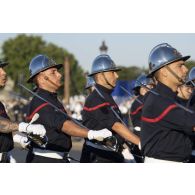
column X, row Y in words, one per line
column 6, row 140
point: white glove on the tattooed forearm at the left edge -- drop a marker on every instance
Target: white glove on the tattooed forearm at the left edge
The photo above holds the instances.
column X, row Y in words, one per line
column 35, row 129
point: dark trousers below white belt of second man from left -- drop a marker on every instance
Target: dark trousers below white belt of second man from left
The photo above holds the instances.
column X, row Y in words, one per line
column 31, row 158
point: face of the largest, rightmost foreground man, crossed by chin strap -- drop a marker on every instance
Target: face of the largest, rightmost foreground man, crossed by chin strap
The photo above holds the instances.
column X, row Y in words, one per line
column 179, row 69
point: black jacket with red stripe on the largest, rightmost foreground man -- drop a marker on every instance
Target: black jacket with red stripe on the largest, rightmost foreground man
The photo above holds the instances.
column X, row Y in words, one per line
column 166, row 127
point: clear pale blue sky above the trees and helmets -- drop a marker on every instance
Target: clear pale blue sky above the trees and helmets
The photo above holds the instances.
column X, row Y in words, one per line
column 125, row 48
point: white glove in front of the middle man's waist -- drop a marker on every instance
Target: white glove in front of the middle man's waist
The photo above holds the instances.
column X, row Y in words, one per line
column 99, row 135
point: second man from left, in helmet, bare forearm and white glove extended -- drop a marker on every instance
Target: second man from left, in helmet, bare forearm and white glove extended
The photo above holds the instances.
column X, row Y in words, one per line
column 59, row 127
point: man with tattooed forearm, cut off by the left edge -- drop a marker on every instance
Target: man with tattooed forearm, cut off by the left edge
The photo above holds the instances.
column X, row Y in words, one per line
column 7, row 127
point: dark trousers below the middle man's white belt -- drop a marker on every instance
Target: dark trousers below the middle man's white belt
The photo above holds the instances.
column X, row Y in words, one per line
column 92, row 155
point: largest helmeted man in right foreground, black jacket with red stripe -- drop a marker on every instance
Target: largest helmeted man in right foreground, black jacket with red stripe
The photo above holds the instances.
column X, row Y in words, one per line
column 166, row 127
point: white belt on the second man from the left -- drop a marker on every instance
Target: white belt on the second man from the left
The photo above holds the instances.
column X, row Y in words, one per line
column 48, row 153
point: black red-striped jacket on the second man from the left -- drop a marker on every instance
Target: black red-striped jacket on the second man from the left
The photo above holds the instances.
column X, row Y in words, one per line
column 51, row 119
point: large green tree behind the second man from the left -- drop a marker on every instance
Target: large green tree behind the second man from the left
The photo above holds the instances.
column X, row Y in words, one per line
column 20, row 50
